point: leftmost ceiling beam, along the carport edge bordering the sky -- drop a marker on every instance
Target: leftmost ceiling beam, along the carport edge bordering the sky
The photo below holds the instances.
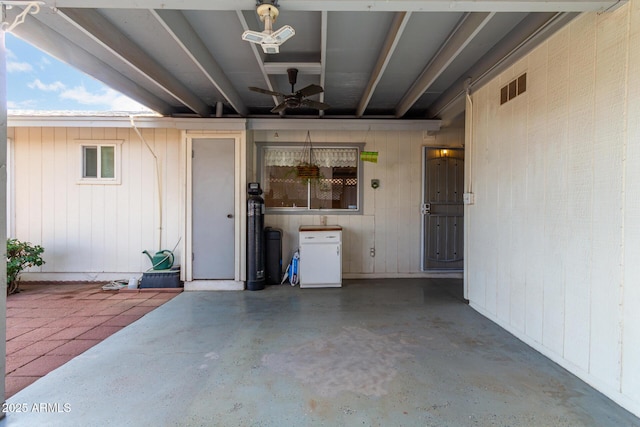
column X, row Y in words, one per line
column 37, row 33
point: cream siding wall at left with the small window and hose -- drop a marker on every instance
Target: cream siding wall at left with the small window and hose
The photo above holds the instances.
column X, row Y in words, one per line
column 95, row 229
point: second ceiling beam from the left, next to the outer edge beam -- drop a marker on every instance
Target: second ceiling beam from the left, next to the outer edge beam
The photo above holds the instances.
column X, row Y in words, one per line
column 103, row 32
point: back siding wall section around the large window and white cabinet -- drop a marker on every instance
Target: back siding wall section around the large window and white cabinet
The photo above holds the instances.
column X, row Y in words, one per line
column 390, row 221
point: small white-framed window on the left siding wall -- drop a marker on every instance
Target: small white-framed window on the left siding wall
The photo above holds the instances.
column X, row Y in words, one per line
column 100, row 162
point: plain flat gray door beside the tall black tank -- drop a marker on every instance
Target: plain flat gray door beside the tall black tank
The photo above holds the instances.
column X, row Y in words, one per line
column 213, row 209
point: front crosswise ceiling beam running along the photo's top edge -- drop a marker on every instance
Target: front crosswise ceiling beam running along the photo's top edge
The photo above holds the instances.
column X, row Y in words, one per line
column 356, row 5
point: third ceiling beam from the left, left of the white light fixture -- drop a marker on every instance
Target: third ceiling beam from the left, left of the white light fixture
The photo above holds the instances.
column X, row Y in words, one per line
column 185, row 36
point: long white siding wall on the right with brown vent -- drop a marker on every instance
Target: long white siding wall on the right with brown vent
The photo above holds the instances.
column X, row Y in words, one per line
column 554, row 235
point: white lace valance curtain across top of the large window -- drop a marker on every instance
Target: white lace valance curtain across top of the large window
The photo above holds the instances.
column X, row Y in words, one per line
column 324, row 157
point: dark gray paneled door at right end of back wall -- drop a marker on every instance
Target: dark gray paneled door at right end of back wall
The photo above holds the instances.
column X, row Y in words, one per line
column 442, row 209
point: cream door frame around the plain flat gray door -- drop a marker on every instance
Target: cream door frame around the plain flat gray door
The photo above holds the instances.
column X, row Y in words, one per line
column 240, row 211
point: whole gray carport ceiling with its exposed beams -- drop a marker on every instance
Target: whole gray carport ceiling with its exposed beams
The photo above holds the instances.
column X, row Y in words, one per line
column 381, row 59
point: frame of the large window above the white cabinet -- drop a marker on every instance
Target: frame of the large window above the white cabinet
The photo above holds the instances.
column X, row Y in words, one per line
column 307, row 210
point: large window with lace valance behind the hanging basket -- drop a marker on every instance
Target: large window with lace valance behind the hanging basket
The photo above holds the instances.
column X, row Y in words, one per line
column 336, row 188
